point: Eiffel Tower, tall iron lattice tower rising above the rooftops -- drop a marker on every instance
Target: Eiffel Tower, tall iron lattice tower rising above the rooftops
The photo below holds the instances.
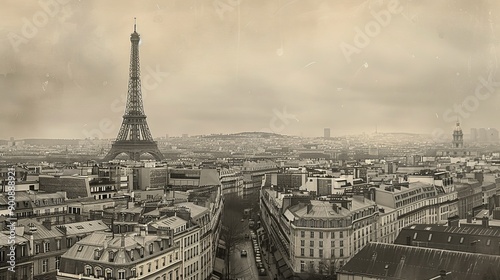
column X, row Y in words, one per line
column 134, row 137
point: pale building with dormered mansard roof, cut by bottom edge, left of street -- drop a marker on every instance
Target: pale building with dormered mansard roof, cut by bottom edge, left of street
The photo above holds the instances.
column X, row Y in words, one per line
column 134, row 256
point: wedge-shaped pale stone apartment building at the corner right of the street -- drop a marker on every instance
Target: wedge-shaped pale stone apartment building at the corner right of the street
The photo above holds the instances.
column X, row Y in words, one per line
column 317, row 234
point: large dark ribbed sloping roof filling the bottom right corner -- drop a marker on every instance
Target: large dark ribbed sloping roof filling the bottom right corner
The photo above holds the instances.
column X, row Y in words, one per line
column 406, row 262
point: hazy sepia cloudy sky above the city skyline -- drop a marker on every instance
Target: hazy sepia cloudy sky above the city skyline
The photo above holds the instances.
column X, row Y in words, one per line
column 285, row 66
